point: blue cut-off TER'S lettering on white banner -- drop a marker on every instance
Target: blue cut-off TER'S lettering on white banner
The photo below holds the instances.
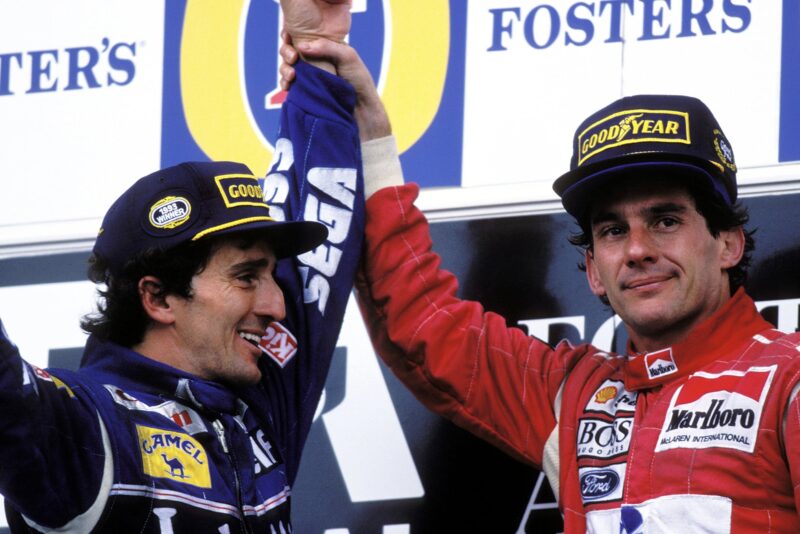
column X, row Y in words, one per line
column 68, row 69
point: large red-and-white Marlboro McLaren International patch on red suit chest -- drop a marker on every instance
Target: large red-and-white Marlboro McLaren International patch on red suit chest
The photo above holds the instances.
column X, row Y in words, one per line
column 717, row 410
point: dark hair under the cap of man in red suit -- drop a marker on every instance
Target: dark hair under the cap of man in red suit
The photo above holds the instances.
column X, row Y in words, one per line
column 719, row 217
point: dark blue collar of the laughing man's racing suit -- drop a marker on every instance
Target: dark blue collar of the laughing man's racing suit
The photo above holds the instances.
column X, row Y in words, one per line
column 130, row 370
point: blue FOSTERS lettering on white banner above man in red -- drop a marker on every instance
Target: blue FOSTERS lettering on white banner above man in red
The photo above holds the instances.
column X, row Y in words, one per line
column 579, row 23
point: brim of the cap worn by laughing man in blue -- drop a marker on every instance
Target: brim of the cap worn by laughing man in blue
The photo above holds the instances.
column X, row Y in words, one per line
column 286, row 238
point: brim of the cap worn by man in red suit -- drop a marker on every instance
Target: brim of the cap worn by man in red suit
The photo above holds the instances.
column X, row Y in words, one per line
column 578, row 189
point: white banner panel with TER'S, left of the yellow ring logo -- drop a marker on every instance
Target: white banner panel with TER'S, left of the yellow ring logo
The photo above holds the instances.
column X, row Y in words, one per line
column 80, row 97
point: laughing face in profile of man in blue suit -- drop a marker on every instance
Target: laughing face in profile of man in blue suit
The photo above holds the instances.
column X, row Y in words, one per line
column 214, row 334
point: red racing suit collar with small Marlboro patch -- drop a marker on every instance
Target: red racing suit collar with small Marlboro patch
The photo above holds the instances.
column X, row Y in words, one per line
column 728, row 328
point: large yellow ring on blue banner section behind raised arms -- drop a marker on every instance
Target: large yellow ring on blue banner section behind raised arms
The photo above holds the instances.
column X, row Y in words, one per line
column 213, row 90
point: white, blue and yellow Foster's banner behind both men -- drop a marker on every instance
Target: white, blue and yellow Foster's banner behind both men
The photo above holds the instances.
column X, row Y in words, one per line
column 482, row 95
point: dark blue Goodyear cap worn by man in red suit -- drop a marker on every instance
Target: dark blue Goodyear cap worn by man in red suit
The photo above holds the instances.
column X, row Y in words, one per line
column 648, row 136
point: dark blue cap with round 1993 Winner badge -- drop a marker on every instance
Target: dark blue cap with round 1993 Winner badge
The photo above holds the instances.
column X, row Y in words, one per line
column 192, row 201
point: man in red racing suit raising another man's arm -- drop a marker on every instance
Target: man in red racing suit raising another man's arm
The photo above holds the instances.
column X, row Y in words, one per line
column 697, row 427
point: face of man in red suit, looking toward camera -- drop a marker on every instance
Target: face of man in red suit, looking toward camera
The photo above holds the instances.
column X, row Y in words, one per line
column 656, row 261
